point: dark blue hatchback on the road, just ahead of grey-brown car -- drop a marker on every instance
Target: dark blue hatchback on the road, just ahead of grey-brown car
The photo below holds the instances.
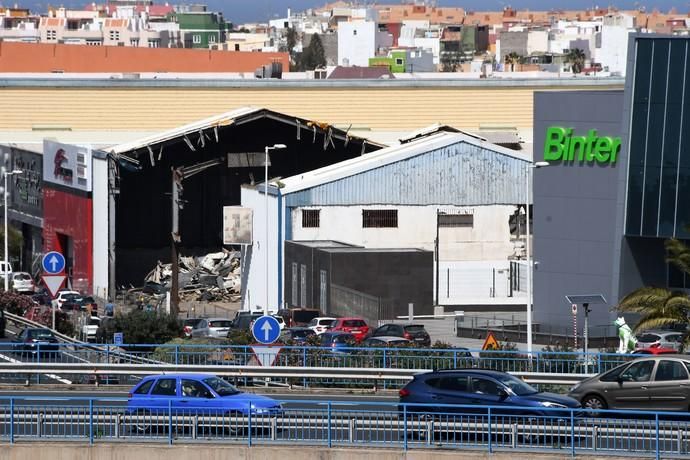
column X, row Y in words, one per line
column 478, row 387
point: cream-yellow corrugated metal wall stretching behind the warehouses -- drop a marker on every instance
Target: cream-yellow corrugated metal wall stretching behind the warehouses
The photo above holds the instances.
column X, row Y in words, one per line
column 142, row 108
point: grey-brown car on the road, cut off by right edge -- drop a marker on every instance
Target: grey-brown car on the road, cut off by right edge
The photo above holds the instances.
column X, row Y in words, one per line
column 657, row 383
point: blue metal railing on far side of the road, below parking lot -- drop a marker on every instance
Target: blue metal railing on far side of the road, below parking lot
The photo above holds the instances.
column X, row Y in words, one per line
column 358, row 357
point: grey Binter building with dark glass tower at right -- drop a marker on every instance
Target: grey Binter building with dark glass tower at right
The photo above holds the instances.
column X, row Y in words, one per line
column 600, row 226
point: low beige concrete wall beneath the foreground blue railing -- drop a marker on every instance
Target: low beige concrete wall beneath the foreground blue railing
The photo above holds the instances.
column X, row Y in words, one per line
column 160, row 451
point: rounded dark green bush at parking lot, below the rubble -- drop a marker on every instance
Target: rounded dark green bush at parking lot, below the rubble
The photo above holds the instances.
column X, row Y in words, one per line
column 143, row 327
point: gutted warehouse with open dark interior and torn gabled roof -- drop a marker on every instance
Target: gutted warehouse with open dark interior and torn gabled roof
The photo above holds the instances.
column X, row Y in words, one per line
column 132, row 210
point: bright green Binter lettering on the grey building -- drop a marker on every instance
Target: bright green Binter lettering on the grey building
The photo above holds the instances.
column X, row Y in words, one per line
column 561, row 145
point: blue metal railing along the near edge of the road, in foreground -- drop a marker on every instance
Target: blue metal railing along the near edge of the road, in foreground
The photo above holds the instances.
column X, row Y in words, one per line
column 372, row 424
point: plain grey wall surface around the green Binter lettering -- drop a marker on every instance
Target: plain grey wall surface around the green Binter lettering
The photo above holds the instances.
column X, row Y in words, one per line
column 575, row 232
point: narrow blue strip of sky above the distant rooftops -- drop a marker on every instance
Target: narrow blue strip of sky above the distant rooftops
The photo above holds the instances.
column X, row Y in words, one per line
column 241, row 11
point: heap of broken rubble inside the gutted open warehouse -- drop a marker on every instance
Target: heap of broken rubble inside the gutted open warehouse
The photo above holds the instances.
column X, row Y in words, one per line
column 213, row 277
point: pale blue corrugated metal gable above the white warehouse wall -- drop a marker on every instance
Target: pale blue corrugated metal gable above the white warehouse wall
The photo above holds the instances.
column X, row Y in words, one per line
column 461, row 174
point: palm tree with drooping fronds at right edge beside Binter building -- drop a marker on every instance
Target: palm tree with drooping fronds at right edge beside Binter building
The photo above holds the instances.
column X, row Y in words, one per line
column 659, row 307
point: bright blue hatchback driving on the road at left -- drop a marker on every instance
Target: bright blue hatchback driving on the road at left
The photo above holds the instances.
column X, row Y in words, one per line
column 194, row 393
